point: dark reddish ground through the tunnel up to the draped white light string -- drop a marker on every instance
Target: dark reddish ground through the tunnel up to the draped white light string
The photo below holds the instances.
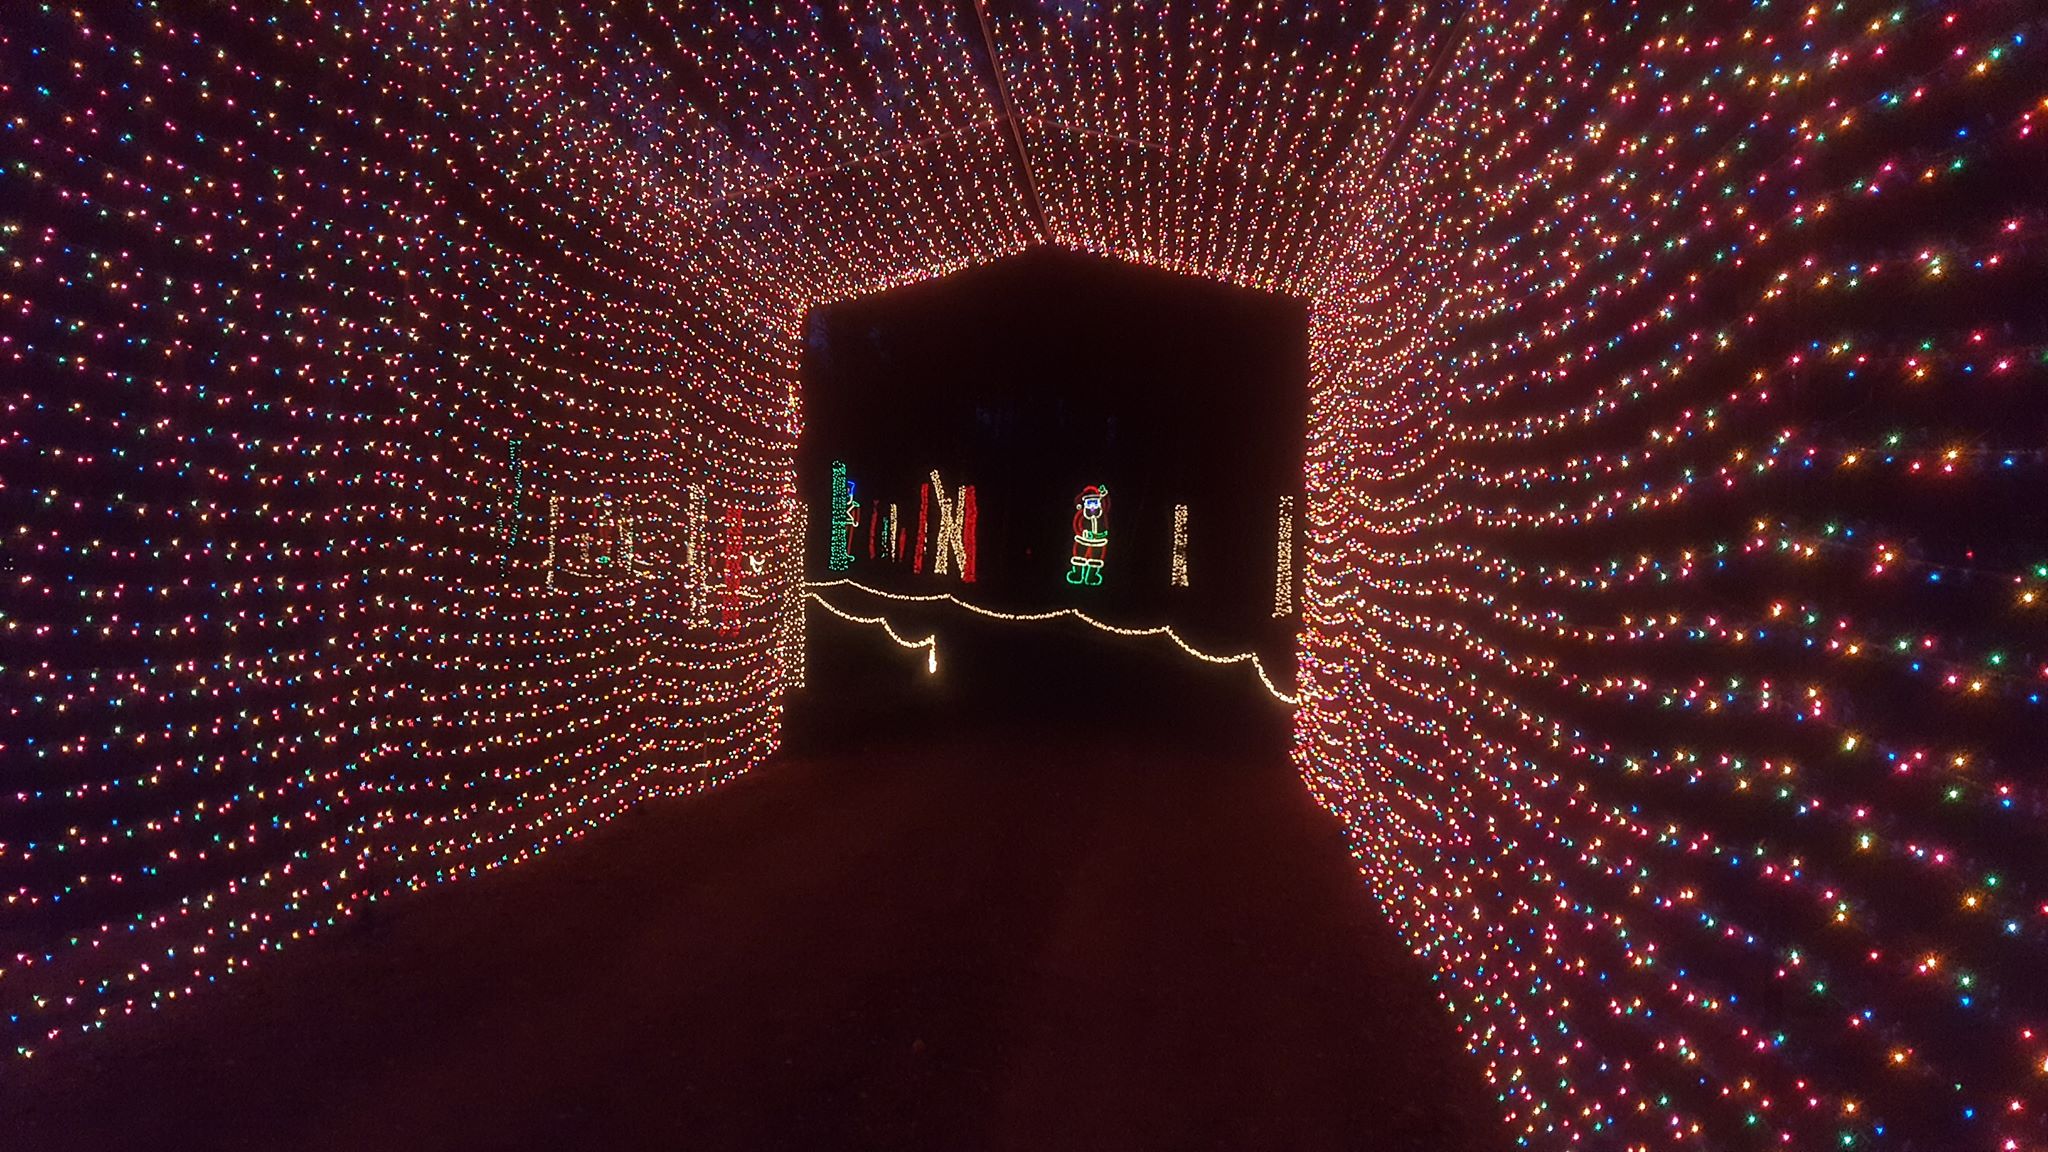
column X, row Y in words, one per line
column 1068, row 893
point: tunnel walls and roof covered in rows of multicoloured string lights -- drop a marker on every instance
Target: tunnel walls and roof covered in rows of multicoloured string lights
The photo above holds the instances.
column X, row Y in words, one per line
column 396, row 477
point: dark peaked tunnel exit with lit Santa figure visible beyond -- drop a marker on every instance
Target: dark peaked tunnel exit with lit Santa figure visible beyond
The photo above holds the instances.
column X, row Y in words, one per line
column 1060, row 434
